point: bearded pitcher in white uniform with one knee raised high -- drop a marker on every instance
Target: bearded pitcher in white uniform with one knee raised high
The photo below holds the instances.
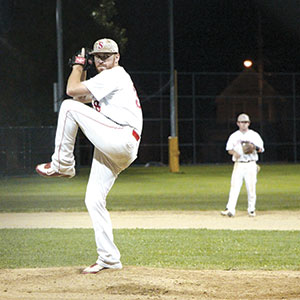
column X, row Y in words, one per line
column 113, row 125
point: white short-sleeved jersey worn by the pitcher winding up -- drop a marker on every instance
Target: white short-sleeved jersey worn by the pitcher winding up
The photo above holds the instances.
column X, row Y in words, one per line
column 115, row 97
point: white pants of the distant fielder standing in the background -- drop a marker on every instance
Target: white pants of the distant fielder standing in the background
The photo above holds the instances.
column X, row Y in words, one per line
column 243, row 171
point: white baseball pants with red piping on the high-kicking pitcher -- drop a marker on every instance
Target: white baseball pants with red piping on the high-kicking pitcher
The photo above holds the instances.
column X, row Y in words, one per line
column 115, row 149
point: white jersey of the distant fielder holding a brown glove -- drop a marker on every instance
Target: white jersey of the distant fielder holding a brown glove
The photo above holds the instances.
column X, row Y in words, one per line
column 235, row 143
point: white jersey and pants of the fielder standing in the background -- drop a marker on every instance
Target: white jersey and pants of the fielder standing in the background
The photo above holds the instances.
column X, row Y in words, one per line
column 245, row 168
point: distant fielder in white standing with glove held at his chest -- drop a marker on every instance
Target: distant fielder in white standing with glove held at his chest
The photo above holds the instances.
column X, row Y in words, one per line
column 245, row 167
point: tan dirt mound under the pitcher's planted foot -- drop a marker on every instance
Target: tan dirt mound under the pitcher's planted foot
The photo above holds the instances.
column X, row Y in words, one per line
column 140, row 283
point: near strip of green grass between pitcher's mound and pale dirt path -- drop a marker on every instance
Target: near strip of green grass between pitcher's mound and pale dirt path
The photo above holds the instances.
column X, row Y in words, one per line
column 185, row 249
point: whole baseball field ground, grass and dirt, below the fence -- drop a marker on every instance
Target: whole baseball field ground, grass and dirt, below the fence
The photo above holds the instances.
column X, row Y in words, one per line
column 173, row 241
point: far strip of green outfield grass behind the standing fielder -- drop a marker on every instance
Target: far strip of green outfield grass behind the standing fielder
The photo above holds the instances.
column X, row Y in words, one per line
column 202, row 187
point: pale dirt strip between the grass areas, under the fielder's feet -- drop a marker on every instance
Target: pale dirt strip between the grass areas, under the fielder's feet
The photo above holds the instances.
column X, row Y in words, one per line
column 270, row 220
